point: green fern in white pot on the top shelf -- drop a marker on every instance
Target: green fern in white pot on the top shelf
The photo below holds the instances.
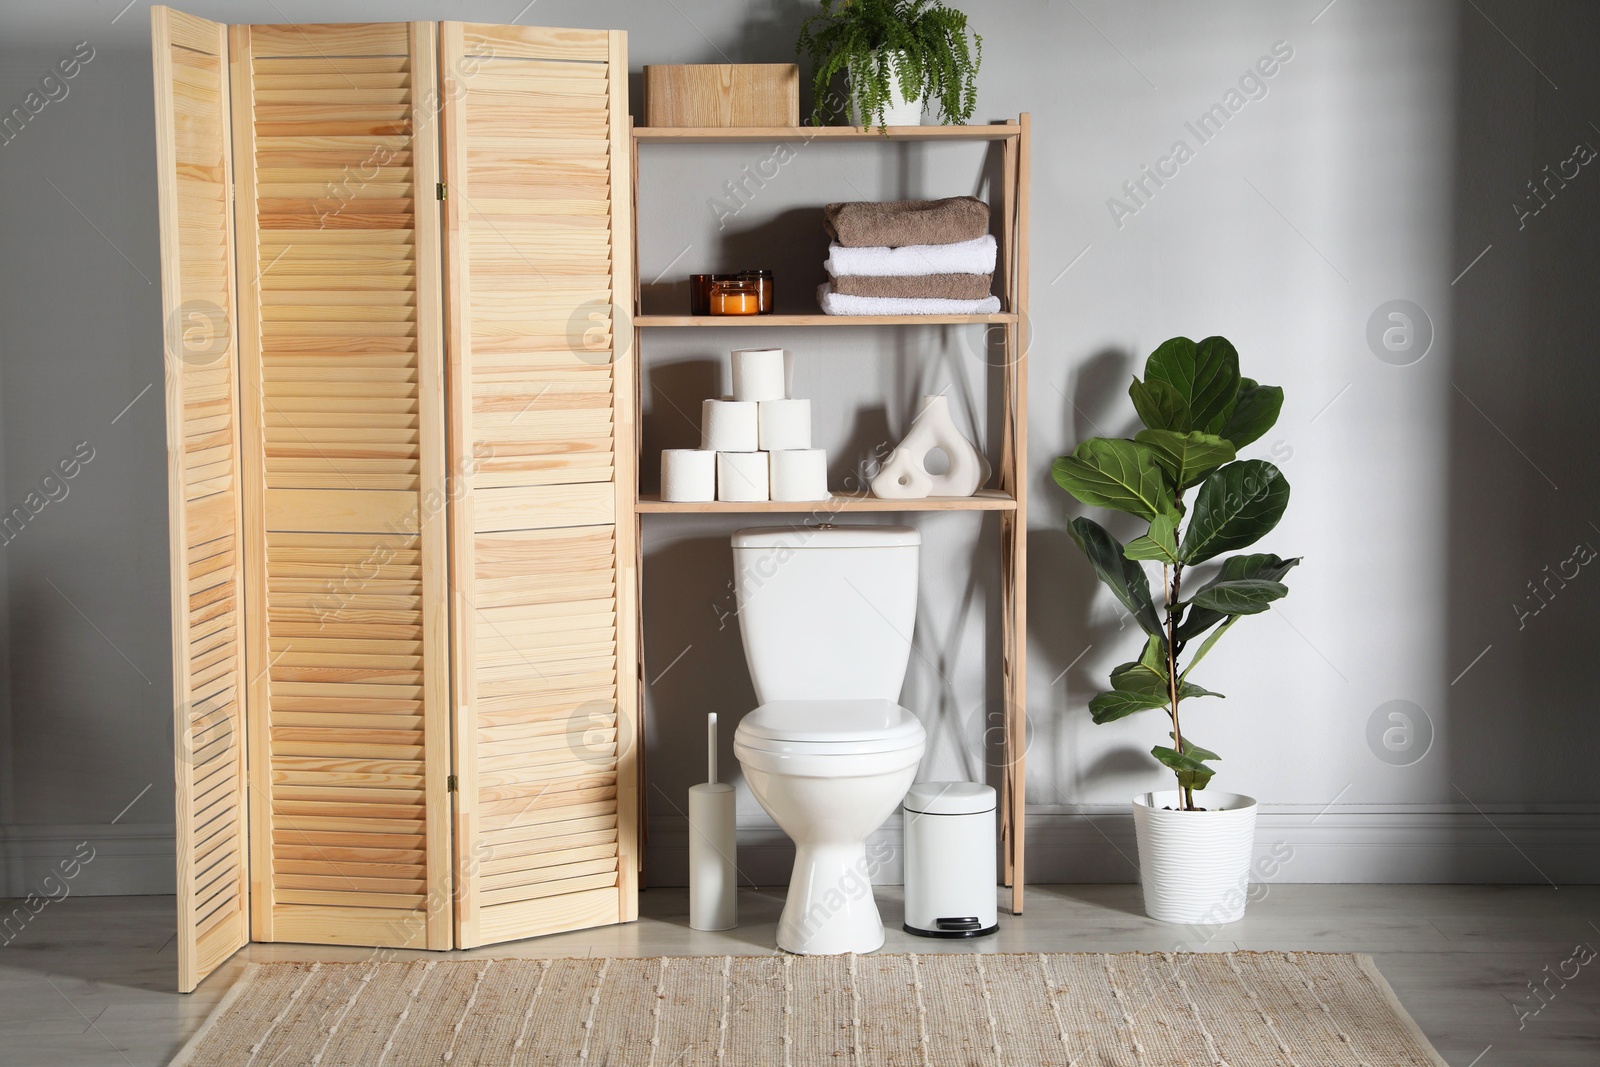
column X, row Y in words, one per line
column 898, row 57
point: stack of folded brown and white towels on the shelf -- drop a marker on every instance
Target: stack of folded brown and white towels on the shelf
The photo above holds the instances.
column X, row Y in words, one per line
column 910, row 258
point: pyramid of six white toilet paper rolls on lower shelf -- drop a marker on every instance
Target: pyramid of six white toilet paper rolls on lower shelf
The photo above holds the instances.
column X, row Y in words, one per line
column 754, row 446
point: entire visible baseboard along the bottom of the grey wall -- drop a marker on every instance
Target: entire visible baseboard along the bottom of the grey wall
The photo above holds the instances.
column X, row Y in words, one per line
column 1346, row 844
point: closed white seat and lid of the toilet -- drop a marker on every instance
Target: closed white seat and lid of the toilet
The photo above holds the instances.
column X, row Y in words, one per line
column 834, row 729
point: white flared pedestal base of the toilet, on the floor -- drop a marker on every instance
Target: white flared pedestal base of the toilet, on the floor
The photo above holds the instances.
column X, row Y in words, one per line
column 830, row 909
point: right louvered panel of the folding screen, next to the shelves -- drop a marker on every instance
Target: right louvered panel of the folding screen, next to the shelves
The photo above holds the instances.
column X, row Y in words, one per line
column 538, row 252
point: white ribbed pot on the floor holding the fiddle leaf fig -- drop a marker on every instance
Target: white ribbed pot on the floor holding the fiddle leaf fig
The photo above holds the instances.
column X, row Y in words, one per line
column 1196, row 865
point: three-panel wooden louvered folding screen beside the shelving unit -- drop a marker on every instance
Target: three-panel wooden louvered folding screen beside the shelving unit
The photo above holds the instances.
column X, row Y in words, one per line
column 322, row 508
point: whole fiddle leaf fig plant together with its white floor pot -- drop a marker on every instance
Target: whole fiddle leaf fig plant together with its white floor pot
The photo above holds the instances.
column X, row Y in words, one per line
column 1198, row 414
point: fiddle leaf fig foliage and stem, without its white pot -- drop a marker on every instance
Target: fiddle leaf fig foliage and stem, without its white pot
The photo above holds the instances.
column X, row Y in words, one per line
column 1198, row 414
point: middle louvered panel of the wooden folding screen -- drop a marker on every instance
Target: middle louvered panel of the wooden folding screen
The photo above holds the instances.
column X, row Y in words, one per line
column 343, row 319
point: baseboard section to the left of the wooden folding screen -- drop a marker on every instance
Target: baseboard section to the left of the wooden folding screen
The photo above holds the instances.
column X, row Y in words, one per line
column 129, row 860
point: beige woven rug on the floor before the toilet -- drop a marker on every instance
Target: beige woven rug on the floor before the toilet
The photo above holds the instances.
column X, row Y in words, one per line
column 958, row 1010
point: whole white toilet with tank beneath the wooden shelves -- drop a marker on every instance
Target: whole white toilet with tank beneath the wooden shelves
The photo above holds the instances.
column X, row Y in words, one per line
column 826, row 615
